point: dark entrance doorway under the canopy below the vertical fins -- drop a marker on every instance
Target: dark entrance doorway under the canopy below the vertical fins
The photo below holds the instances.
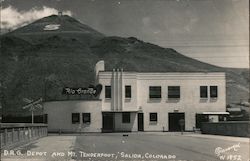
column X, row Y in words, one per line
column 107, row 122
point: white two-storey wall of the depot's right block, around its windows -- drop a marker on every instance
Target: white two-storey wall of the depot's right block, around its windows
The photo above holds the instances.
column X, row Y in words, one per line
column 189, row 102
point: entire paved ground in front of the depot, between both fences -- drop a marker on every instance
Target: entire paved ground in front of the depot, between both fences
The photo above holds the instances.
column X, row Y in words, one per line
column 136, row 147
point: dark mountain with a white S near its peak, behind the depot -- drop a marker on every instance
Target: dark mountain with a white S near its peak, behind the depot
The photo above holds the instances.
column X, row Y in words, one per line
column 39, row 59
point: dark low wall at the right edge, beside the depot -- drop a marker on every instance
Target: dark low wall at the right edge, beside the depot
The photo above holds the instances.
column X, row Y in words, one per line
column 230, row 128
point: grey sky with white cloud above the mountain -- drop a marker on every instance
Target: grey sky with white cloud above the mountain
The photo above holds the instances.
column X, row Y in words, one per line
column 213, row 31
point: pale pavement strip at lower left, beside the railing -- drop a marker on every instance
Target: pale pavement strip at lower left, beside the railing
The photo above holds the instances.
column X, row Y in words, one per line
column 42, row 149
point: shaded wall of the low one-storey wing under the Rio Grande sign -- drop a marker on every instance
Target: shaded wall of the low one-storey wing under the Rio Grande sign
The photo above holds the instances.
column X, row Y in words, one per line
column 60, row 115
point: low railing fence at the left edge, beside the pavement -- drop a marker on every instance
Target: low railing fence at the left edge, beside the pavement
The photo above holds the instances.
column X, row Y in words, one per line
column 17, row 133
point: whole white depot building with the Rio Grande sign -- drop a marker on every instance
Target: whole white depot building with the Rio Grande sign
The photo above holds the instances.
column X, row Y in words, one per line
column 141, row 101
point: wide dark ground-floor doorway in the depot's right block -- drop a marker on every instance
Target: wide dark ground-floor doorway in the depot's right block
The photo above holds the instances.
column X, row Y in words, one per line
column 174, row 119
